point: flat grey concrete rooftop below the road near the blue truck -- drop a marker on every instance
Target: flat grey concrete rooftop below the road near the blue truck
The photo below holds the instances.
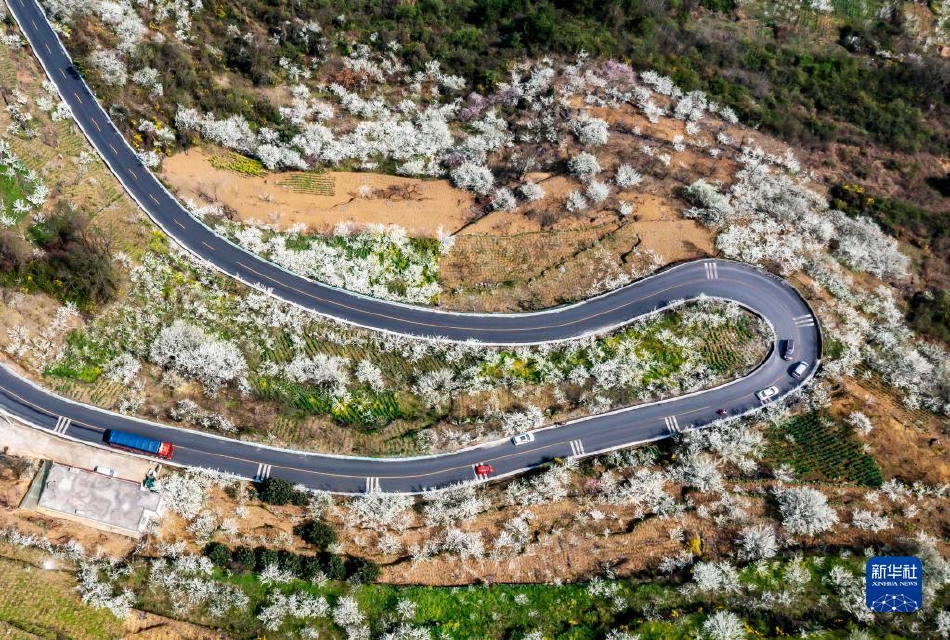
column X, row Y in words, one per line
column 112, row 504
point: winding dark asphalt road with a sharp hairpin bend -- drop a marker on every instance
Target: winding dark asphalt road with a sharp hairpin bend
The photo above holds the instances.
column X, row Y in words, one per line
column 768, row 296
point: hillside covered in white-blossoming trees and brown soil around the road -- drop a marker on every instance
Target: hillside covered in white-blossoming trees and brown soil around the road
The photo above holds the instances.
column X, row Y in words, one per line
column 498, row 156
